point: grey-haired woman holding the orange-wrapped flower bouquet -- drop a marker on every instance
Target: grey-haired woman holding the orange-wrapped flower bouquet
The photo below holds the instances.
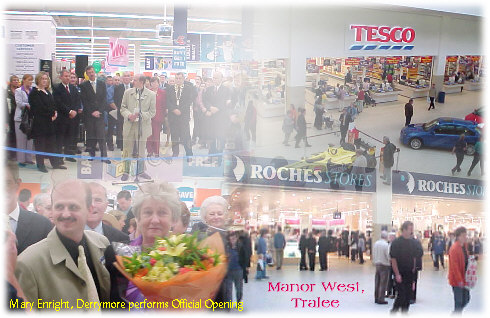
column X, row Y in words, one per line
column 156, row 208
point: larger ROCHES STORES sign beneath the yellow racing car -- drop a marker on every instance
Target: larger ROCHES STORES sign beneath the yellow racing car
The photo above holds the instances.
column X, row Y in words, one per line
column 280, row 172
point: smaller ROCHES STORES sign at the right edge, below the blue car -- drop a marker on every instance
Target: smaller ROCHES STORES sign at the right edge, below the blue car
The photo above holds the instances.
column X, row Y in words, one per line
column 412, row 183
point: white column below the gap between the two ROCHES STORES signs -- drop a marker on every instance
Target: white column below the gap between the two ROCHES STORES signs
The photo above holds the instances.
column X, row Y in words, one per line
column 382, row 215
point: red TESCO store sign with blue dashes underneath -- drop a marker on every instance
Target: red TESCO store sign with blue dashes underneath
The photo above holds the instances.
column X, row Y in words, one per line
column 382, row 38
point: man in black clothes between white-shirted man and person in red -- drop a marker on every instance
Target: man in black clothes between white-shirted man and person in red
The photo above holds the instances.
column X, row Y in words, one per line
column 403, row 253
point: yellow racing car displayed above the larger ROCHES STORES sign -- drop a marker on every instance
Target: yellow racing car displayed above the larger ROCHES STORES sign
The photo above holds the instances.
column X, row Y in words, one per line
column 337, row 159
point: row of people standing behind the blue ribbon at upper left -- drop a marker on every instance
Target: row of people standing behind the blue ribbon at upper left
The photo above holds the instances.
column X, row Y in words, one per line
column 134, row 109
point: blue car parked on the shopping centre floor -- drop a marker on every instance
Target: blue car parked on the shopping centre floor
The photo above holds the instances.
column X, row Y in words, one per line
column 441, row 133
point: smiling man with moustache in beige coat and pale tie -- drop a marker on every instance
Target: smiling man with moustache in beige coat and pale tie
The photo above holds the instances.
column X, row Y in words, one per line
column 67, row 264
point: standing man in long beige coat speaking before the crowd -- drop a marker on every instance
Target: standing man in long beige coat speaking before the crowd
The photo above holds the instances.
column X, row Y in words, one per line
column 137, row 109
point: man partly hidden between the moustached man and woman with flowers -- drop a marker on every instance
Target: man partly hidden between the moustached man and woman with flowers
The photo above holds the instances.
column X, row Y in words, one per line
column 94, row 219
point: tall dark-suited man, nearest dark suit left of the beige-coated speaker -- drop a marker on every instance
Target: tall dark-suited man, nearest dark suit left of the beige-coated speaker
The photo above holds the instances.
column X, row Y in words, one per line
column 94, row 99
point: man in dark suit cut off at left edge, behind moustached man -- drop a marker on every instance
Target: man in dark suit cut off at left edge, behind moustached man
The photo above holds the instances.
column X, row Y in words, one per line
column 28, row 227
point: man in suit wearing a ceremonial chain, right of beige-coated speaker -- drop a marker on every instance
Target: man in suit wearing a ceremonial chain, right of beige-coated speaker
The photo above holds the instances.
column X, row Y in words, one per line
column 179, row 99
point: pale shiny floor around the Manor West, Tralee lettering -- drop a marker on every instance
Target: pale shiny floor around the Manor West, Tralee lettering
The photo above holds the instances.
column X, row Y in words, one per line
column 434, row 295
